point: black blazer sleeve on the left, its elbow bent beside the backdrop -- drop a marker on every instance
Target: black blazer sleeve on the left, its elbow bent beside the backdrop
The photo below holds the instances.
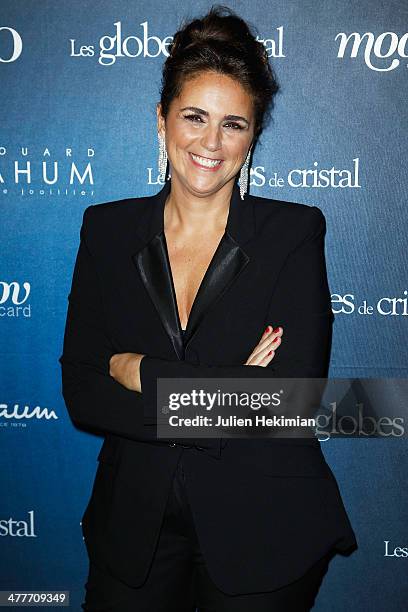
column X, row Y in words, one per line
column 93, row 398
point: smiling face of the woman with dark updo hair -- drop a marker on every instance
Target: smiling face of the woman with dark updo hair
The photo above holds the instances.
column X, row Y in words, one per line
column 208, row 132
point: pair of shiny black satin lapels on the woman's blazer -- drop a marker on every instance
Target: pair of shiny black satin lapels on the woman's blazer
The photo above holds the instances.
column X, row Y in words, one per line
column 153, row 264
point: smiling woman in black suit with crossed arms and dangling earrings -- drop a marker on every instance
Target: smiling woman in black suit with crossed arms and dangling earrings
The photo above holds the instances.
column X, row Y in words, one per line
column 202, row 280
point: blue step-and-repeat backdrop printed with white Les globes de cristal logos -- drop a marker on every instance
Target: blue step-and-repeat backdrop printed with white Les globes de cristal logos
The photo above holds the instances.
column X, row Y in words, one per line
column 79, row 82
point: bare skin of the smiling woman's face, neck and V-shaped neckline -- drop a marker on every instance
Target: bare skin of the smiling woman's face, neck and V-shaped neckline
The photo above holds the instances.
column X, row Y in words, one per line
column 207, row 146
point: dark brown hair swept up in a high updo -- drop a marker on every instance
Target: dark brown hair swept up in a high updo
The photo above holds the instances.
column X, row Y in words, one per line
column 222, row 42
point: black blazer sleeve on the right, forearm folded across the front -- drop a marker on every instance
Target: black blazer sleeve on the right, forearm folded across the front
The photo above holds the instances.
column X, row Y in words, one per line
column 300, row 303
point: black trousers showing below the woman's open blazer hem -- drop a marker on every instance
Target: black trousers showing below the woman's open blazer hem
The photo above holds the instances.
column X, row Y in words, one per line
column 178, row 580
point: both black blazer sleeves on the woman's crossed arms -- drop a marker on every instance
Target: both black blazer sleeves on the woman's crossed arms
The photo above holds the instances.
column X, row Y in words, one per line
column 300, row 305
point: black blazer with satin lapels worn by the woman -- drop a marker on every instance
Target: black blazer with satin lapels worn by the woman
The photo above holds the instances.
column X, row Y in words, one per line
column 264, row 510
